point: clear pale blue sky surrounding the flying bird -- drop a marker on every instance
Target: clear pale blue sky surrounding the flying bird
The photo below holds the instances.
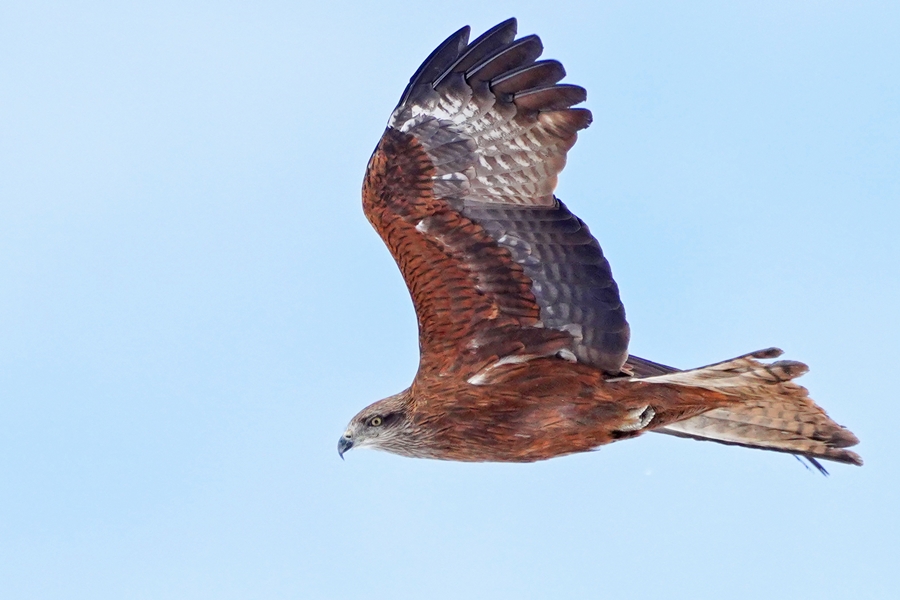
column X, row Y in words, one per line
column 193, row 306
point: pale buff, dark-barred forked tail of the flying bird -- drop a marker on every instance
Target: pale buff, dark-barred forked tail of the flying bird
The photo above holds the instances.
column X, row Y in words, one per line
column 773, row 413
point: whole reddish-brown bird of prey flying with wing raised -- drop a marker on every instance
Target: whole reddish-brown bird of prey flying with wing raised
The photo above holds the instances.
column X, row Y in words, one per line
column 522, row 336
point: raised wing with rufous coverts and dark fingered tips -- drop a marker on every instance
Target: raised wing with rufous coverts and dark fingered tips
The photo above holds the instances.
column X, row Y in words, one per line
column 460, row 188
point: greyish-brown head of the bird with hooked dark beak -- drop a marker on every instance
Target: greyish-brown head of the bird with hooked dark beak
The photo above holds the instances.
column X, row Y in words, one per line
column 384, row 425
